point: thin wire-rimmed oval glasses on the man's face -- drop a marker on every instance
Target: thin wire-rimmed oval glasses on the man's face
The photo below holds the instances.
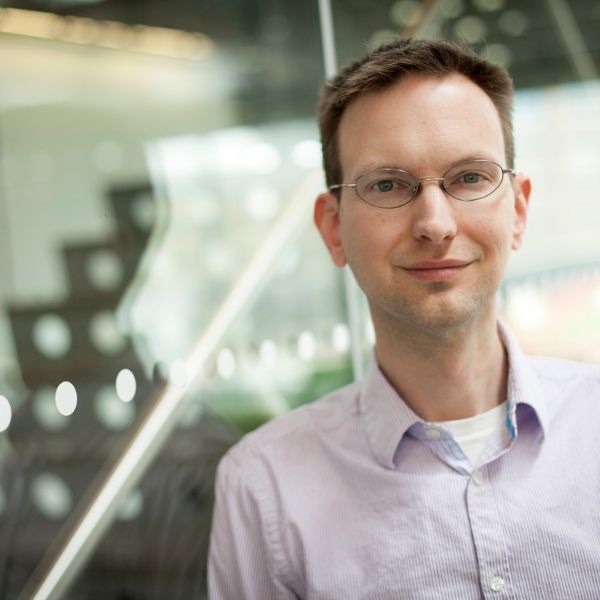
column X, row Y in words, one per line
column 392, row 188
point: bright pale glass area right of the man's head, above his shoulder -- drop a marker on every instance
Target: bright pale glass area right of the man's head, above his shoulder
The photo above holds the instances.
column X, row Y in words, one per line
column 552, row 291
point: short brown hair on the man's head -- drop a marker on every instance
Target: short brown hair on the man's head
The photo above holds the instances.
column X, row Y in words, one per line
column 390, row 63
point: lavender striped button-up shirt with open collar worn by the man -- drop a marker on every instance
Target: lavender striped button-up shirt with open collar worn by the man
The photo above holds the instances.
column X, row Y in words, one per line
column 354, row 497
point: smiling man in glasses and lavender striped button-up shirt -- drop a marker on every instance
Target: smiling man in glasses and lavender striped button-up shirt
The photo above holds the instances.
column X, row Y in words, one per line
column 459, row 468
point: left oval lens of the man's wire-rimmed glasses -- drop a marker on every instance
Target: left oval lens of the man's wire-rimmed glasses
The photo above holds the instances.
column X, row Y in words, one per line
column 386, row 188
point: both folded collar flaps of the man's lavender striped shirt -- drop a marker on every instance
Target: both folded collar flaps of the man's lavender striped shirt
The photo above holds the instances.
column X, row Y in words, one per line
column 387, row 417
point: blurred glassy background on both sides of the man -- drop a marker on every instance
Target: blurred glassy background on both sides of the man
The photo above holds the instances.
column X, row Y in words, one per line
column 148, row 152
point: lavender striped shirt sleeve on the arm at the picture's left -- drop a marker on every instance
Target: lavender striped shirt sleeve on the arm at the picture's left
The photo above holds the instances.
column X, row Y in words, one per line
column 240, row 562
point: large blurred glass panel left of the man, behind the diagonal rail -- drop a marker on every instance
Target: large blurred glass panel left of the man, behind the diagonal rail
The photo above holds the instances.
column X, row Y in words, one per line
column 148, row 154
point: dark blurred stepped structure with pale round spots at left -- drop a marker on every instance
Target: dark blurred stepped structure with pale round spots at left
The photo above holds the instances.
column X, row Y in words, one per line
column 157, row 547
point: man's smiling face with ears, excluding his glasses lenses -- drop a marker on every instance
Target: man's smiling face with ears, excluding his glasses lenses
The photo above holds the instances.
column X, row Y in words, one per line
column 424, row 125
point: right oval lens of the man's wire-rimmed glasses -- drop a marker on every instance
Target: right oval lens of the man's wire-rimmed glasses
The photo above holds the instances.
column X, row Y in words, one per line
column 473, row 180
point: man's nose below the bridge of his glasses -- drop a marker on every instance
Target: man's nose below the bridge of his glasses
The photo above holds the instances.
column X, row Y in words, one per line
column 433, row 215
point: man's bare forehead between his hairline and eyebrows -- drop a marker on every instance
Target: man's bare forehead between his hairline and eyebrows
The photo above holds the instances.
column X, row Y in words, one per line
column 420, row 122
